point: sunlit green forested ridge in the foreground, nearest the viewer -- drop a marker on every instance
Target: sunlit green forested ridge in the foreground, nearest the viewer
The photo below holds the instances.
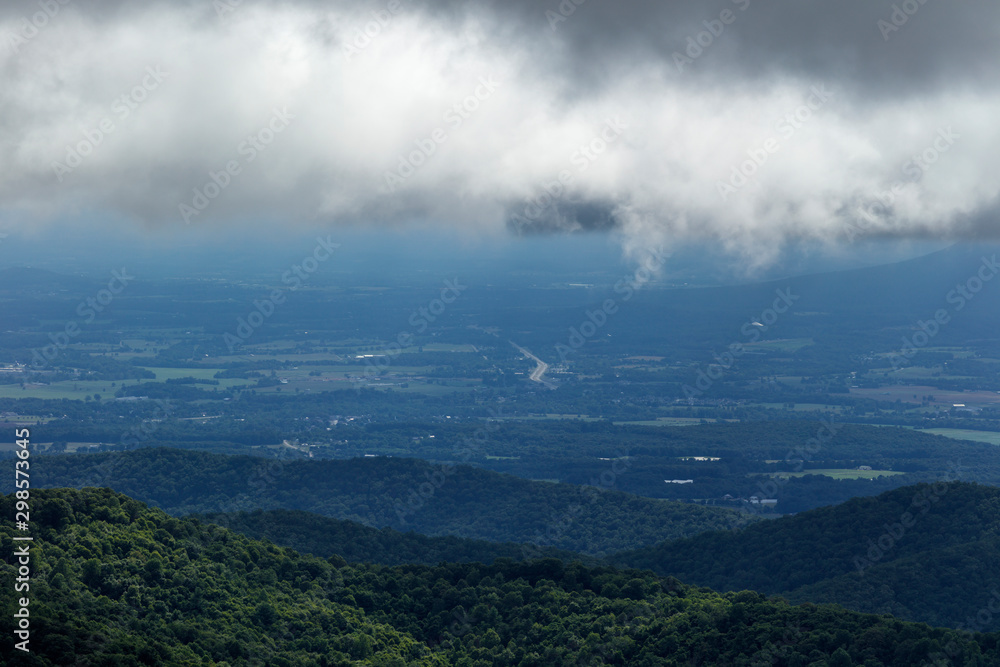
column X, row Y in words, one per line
column 116, row 583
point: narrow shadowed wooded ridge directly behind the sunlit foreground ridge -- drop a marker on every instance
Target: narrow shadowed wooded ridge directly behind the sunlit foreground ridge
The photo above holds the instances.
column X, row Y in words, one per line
column 325, row 537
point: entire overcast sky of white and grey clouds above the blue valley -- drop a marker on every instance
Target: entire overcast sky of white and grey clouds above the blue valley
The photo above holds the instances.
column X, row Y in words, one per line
column 745, row 122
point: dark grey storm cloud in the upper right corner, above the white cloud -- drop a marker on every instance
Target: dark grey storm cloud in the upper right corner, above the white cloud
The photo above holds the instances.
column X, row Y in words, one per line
column 876, row 46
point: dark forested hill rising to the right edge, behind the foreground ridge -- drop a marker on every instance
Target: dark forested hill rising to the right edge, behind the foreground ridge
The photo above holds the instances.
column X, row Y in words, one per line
column 926, row 552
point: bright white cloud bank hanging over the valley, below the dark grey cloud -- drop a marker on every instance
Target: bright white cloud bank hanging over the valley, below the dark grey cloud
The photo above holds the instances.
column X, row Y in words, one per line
column 354, row 121
